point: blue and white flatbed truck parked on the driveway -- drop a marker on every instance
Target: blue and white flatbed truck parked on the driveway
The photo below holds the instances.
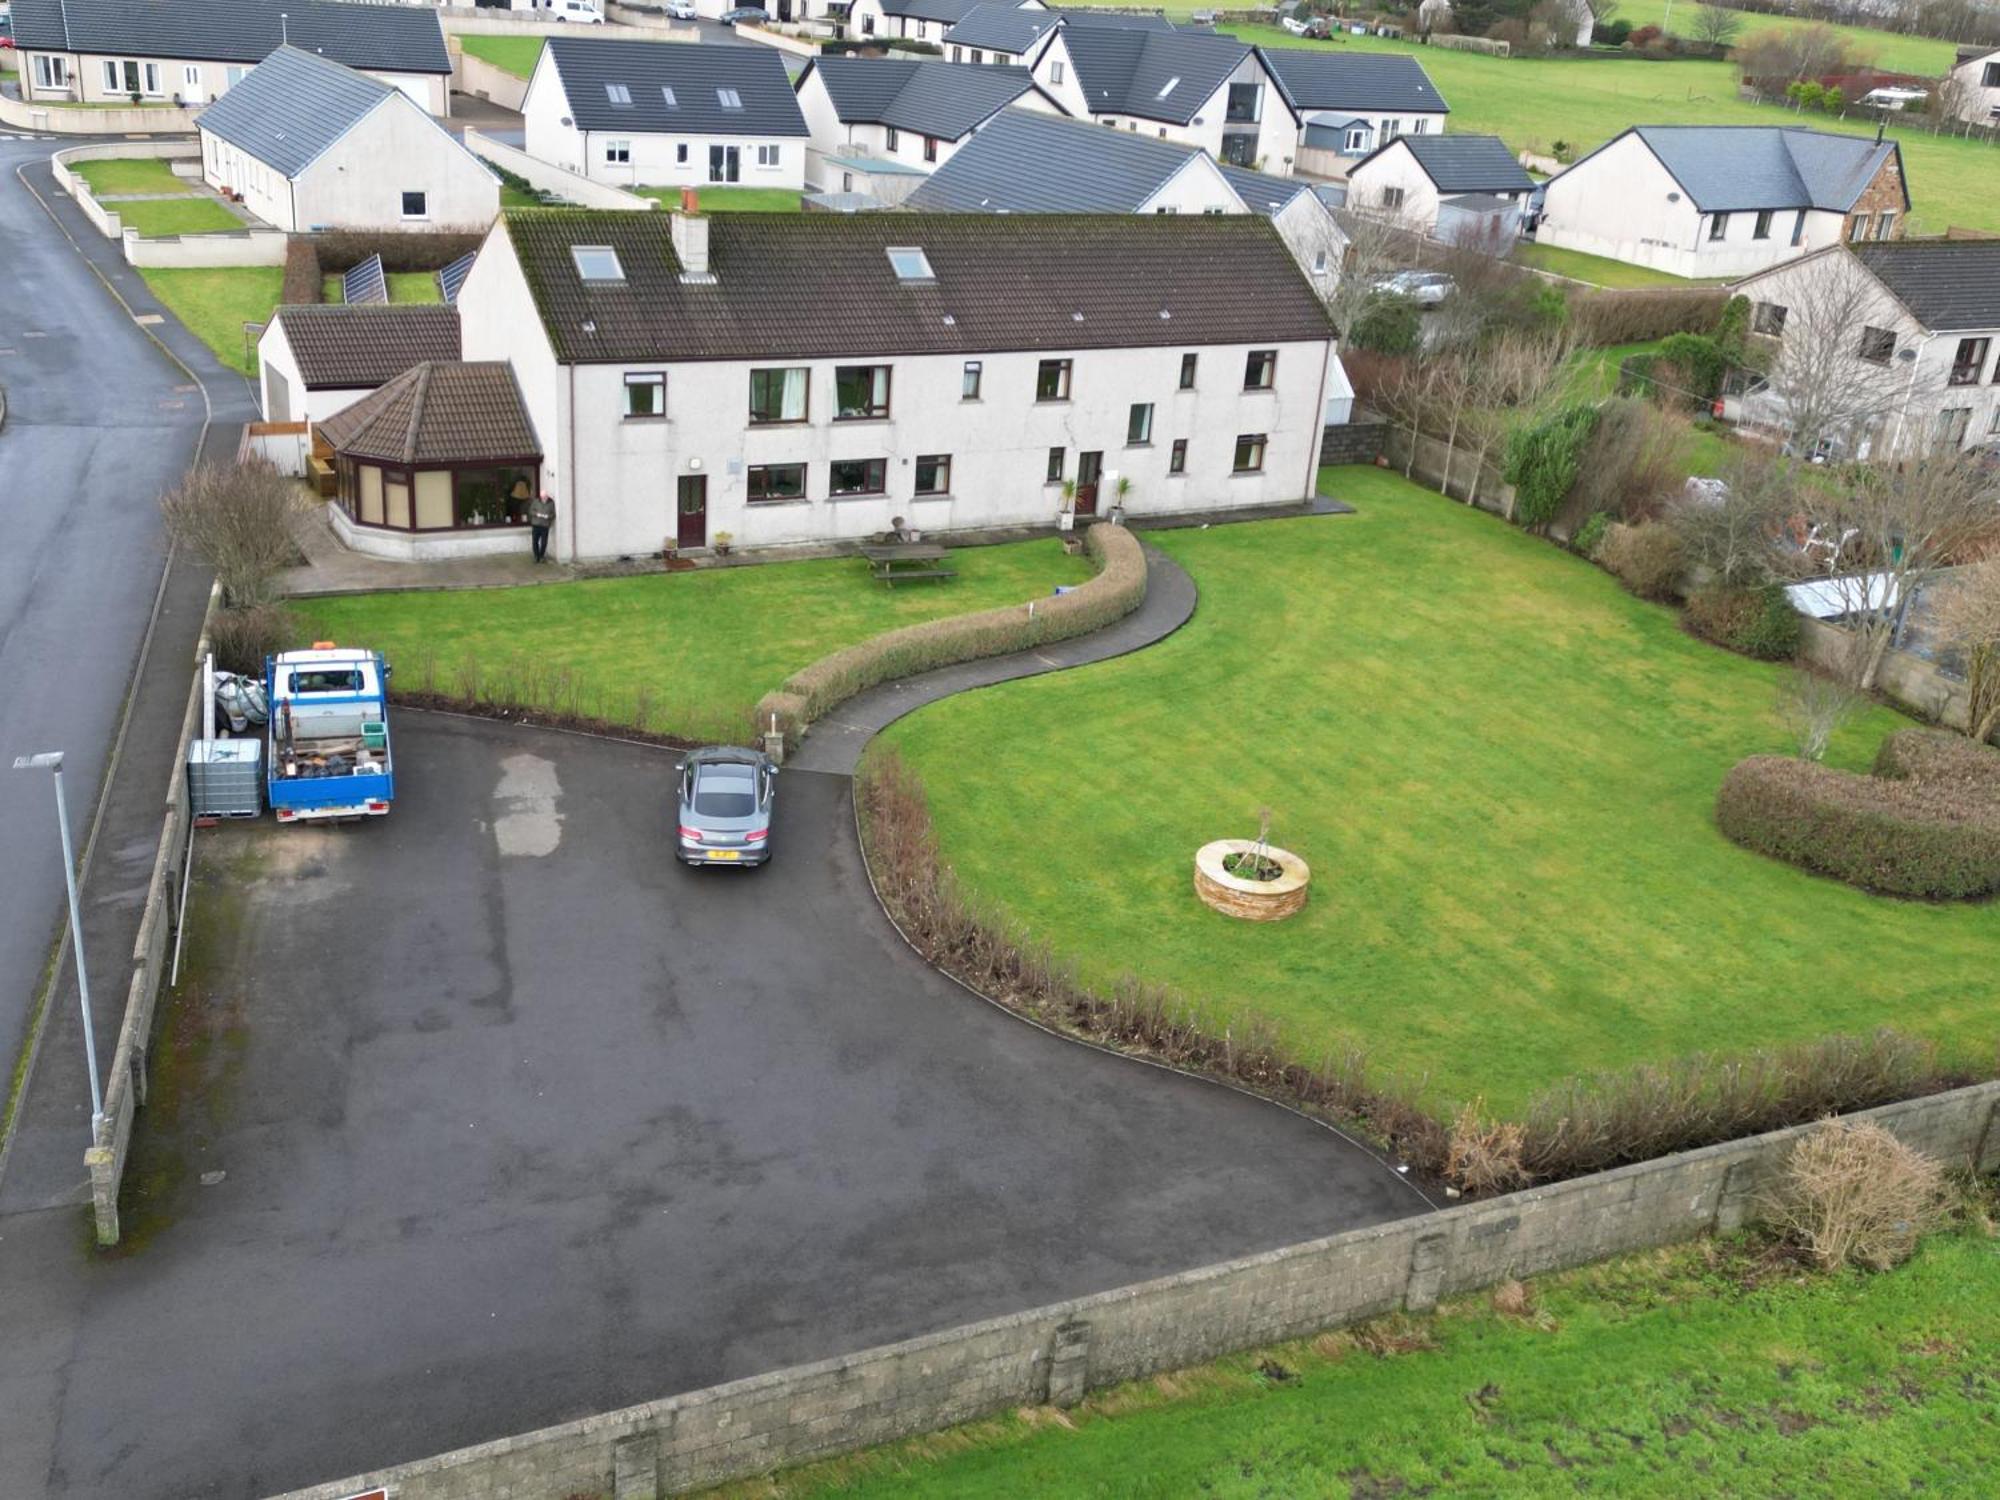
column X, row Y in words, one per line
column 329, row 753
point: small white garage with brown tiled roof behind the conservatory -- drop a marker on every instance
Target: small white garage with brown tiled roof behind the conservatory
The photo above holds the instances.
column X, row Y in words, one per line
column 317, row 361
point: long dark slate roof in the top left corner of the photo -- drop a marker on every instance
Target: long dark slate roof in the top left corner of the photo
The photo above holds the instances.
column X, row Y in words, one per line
column 381, row 39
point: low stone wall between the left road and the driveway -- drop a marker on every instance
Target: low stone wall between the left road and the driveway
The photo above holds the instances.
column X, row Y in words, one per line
column 125, row 1089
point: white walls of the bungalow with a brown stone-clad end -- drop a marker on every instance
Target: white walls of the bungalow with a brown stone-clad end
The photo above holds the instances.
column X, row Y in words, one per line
column 1619, row 205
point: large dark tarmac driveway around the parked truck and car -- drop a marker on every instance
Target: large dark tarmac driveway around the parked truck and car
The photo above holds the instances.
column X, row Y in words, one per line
column 523, row 1121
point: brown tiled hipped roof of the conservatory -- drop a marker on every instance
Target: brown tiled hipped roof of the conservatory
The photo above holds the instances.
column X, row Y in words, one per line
column 441, row 413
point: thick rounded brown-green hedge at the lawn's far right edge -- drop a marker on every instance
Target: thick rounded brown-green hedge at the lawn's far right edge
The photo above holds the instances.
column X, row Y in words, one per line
column 1933, row 837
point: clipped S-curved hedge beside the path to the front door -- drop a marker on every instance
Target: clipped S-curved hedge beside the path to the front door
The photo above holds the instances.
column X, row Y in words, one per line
column 1111, row 595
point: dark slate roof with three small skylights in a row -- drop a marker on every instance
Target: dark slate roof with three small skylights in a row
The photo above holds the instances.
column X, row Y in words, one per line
column 693, row 73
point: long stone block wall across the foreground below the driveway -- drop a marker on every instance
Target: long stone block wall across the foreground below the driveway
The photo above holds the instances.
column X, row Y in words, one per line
column 1055, row 1355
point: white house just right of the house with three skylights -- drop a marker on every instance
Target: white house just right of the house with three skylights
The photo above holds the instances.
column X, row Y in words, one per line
column 879, row 125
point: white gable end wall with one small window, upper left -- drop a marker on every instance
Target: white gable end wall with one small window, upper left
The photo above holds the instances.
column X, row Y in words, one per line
column 397, row 149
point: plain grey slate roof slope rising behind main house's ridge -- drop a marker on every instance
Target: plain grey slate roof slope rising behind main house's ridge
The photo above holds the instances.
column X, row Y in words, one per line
column 1027, row 163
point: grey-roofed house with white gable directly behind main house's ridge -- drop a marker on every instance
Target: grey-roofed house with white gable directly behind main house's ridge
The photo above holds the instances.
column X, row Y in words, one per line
column 1027, row 163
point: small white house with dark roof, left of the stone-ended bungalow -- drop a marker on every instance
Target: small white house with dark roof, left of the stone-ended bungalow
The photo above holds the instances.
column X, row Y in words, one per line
column 1449, row 187
